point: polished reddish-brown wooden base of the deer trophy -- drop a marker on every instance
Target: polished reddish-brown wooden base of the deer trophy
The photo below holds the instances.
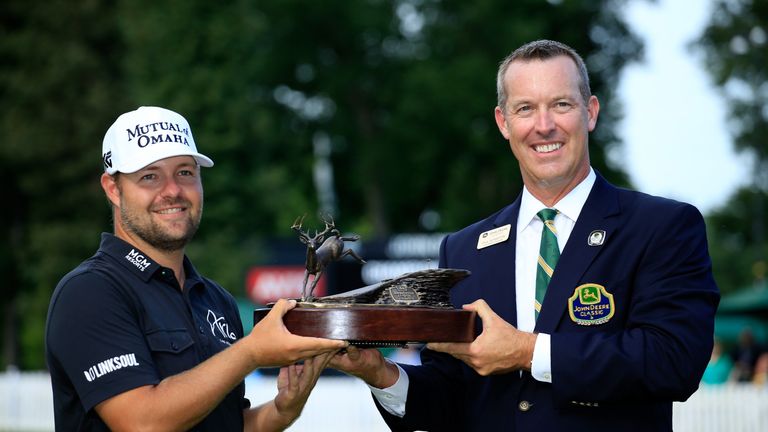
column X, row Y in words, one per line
column 379, row 326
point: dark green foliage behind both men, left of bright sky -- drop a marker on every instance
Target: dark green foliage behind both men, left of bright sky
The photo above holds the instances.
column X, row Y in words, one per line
column 398, row 94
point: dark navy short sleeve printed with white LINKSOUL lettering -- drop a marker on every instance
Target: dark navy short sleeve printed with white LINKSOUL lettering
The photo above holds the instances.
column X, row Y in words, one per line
column 95, row 339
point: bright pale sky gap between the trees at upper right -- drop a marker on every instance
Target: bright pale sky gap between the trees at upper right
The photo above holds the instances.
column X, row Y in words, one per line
column 676, row 143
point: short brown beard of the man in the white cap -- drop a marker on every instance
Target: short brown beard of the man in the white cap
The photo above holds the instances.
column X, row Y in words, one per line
column 154, row 234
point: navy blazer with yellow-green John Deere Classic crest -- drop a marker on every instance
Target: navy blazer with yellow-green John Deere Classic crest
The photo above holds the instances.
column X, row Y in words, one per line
column 620, row 375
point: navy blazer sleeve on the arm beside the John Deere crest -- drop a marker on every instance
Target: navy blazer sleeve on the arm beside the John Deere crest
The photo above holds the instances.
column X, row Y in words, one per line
column 663, row 348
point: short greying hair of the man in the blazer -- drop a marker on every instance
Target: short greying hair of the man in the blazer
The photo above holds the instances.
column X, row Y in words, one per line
column 541, row 50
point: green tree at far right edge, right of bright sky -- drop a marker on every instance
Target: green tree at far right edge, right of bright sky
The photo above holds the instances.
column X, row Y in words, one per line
column 735, row 49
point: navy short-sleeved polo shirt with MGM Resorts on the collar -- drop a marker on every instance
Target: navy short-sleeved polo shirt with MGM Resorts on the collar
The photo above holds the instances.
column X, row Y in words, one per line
column 119, row 321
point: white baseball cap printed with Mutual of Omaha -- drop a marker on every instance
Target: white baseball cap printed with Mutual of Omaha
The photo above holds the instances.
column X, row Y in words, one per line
column 146, row 135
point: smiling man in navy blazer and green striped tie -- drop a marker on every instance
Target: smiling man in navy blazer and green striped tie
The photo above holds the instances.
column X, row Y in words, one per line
column 623, row 328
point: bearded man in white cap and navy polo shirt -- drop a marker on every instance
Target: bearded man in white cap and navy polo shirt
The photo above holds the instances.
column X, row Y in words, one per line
column 136, row 338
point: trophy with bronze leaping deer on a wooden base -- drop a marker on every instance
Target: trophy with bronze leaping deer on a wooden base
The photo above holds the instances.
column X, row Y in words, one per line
column 411, row 308
